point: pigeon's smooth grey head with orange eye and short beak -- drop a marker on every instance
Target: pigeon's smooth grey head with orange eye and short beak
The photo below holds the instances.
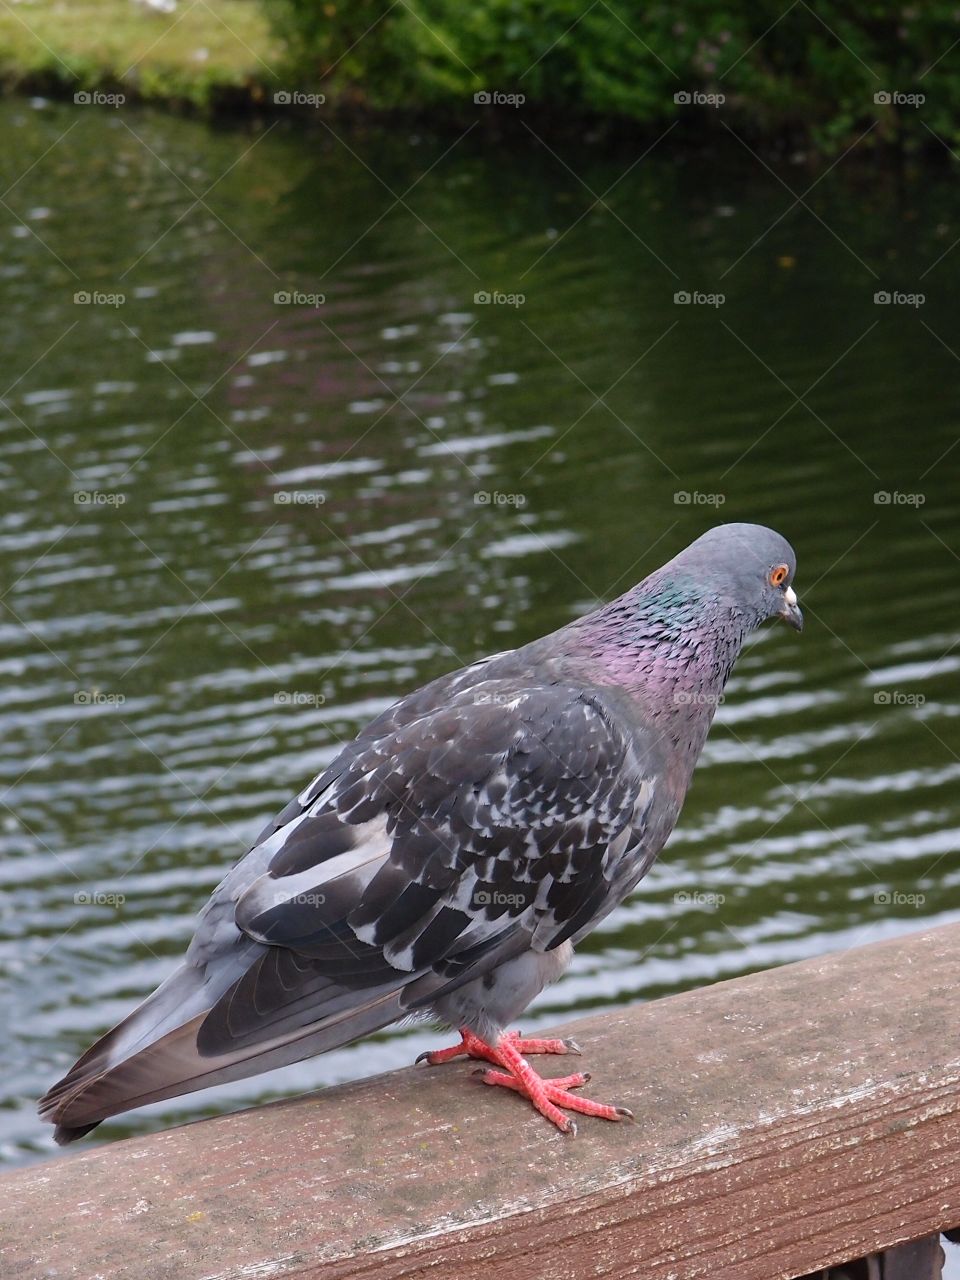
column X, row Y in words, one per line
column 751, row 570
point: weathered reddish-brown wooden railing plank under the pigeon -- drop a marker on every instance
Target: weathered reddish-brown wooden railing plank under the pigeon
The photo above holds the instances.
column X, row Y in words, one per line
column 785, row 1122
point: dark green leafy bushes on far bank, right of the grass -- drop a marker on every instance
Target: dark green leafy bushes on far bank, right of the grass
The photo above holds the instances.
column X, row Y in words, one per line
column 810, row 71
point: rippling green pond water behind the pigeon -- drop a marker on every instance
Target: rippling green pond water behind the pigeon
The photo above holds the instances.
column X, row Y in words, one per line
column 327, row 505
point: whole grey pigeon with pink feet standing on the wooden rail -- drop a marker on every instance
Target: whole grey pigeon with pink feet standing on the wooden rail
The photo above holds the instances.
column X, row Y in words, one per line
column 451, row 858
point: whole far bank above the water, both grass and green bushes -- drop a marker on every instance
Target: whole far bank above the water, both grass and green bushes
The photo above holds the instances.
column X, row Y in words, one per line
column 817, row 80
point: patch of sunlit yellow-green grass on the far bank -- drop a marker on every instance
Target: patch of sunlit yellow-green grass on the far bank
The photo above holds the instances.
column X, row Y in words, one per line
column 205, row 53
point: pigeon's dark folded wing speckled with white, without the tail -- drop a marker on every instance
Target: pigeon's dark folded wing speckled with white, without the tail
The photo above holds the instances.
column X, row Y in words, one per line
column 432, row 845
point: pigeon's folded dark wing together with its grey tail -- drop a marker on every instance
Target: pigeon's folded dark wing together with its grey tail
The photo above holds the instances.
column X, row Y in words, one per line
column 464, row 828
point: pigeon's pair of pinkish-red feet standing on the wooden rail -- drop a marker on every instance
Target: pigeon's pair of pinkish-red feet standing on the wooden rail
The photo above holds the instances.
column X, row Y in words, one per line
column 550, row 1098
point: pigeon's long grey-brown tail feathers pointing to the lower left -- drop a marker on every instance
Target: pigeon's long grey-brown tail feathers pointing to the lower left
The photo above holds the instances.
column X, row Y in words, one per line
column 156, row 1053
